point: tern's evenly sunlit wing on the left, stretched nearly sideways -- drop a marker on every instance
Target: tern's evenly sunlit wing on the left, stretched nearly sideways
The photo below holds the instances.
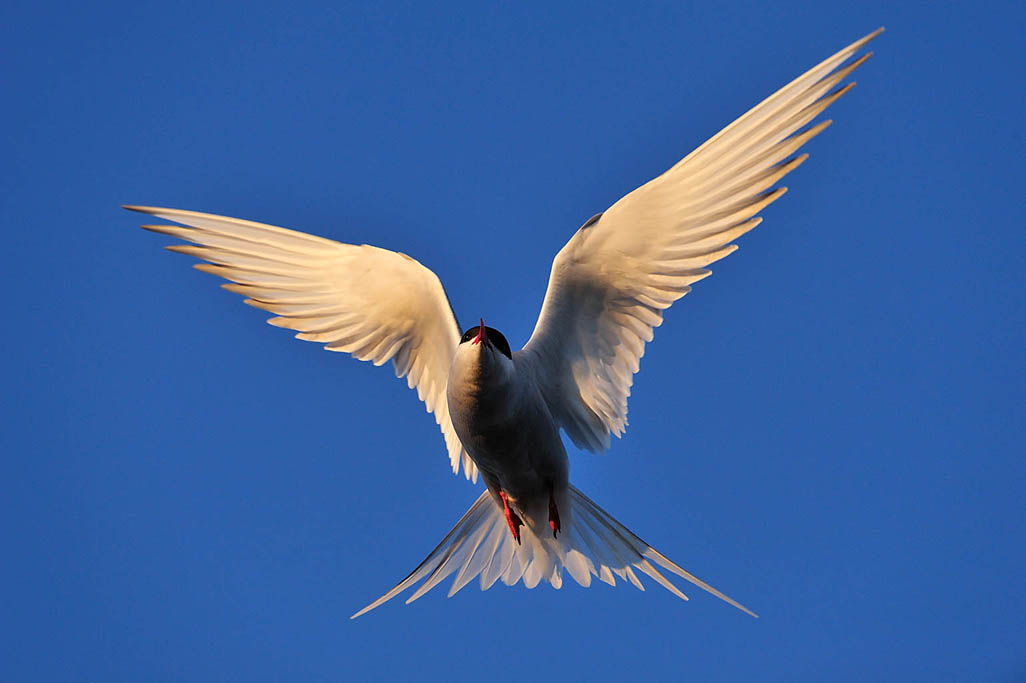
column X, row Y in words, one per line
column 374, row 304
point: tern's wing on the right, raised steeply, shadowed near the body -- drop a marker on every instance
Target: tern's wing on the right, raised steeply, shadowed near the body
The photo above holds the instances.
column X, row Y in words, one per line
column 611, row 284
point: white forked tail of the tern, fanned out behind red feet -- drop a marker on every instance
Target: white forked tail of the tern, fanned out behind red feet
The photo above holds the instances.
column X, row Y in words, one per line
column 593, row 544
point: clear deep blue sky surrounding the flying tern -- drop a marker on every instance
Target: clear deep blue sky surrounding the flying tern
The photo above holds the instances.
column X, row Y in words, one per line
column 830, row 429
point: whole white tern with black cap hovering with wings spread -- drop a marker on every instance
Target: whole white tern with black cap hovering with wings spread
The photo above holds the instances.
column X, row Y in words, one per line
column 502, row 413
